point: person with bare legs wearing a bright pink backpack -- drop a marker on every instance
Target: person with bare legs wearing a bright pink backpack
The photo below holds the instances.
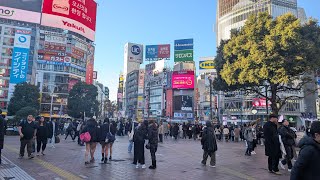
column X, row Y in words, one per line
column 91, row 127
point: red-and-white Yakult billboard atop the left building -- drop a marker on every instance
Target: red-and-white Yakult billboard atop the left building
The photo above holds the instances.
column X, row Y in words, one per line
column 75, row 15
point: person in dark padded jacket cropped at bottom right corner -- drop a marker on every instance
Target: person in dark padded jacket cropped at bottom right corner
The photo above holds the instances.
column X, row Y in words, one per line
column 308, row 162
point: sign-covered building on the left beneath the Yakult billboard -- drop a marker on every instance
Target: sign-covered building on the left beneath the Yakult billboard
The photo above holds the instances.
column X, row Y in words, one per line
column 48, row 46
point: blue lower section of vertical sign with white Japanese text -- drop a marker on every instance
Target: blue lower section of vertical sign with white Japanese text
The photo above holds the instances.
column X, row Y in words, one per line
column 19, row 65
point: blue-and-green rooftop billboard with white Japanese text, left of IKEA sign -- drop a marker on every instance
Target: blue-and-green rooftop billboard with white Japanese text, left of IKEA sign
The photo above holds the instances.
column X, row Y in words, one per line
column 183, row 50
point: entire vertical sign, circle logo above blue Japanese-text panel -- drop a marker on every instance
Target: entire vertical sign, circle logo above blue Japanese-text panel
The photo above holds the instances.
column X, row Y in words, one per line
column 20, row 56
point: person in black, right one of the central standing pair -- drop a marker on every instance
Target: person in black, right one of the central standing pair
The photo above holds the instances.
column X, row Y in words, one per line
column 153, row 142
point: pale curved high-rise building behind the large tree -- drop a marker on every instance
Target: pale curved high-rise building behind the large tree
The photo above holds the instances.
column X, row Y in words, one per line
column 232, row 14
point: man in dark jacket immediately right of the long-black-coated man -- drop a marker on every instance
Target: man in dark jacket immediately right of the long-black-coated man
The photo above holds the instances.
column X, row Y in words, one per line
column 287, row 137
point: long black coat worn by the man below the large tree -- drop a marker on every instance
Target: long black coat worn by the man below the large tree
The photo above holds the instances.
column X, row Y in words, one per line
column 272, row 144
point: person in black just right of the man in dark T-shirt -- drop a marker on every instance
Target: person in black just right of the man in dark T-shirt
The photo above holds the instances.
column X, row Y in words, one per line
column 42, row 135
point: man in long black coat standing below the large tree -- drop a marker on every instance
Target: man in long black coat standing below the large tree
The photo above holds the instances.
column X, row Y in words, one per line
column 272, row 144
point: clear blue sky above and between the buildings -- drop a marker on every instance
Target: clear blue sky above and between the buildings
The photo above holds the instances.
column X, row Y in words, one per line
column 156, row 22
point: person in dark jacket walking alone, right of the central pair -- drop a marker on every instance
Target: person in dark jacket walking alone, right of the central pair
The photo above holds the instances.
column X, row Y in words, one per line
column 209, row 145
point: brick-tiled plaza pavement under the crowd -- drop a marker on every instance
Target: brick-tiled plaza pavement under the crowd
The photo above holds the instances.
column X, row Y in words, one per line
column 175, row 160
